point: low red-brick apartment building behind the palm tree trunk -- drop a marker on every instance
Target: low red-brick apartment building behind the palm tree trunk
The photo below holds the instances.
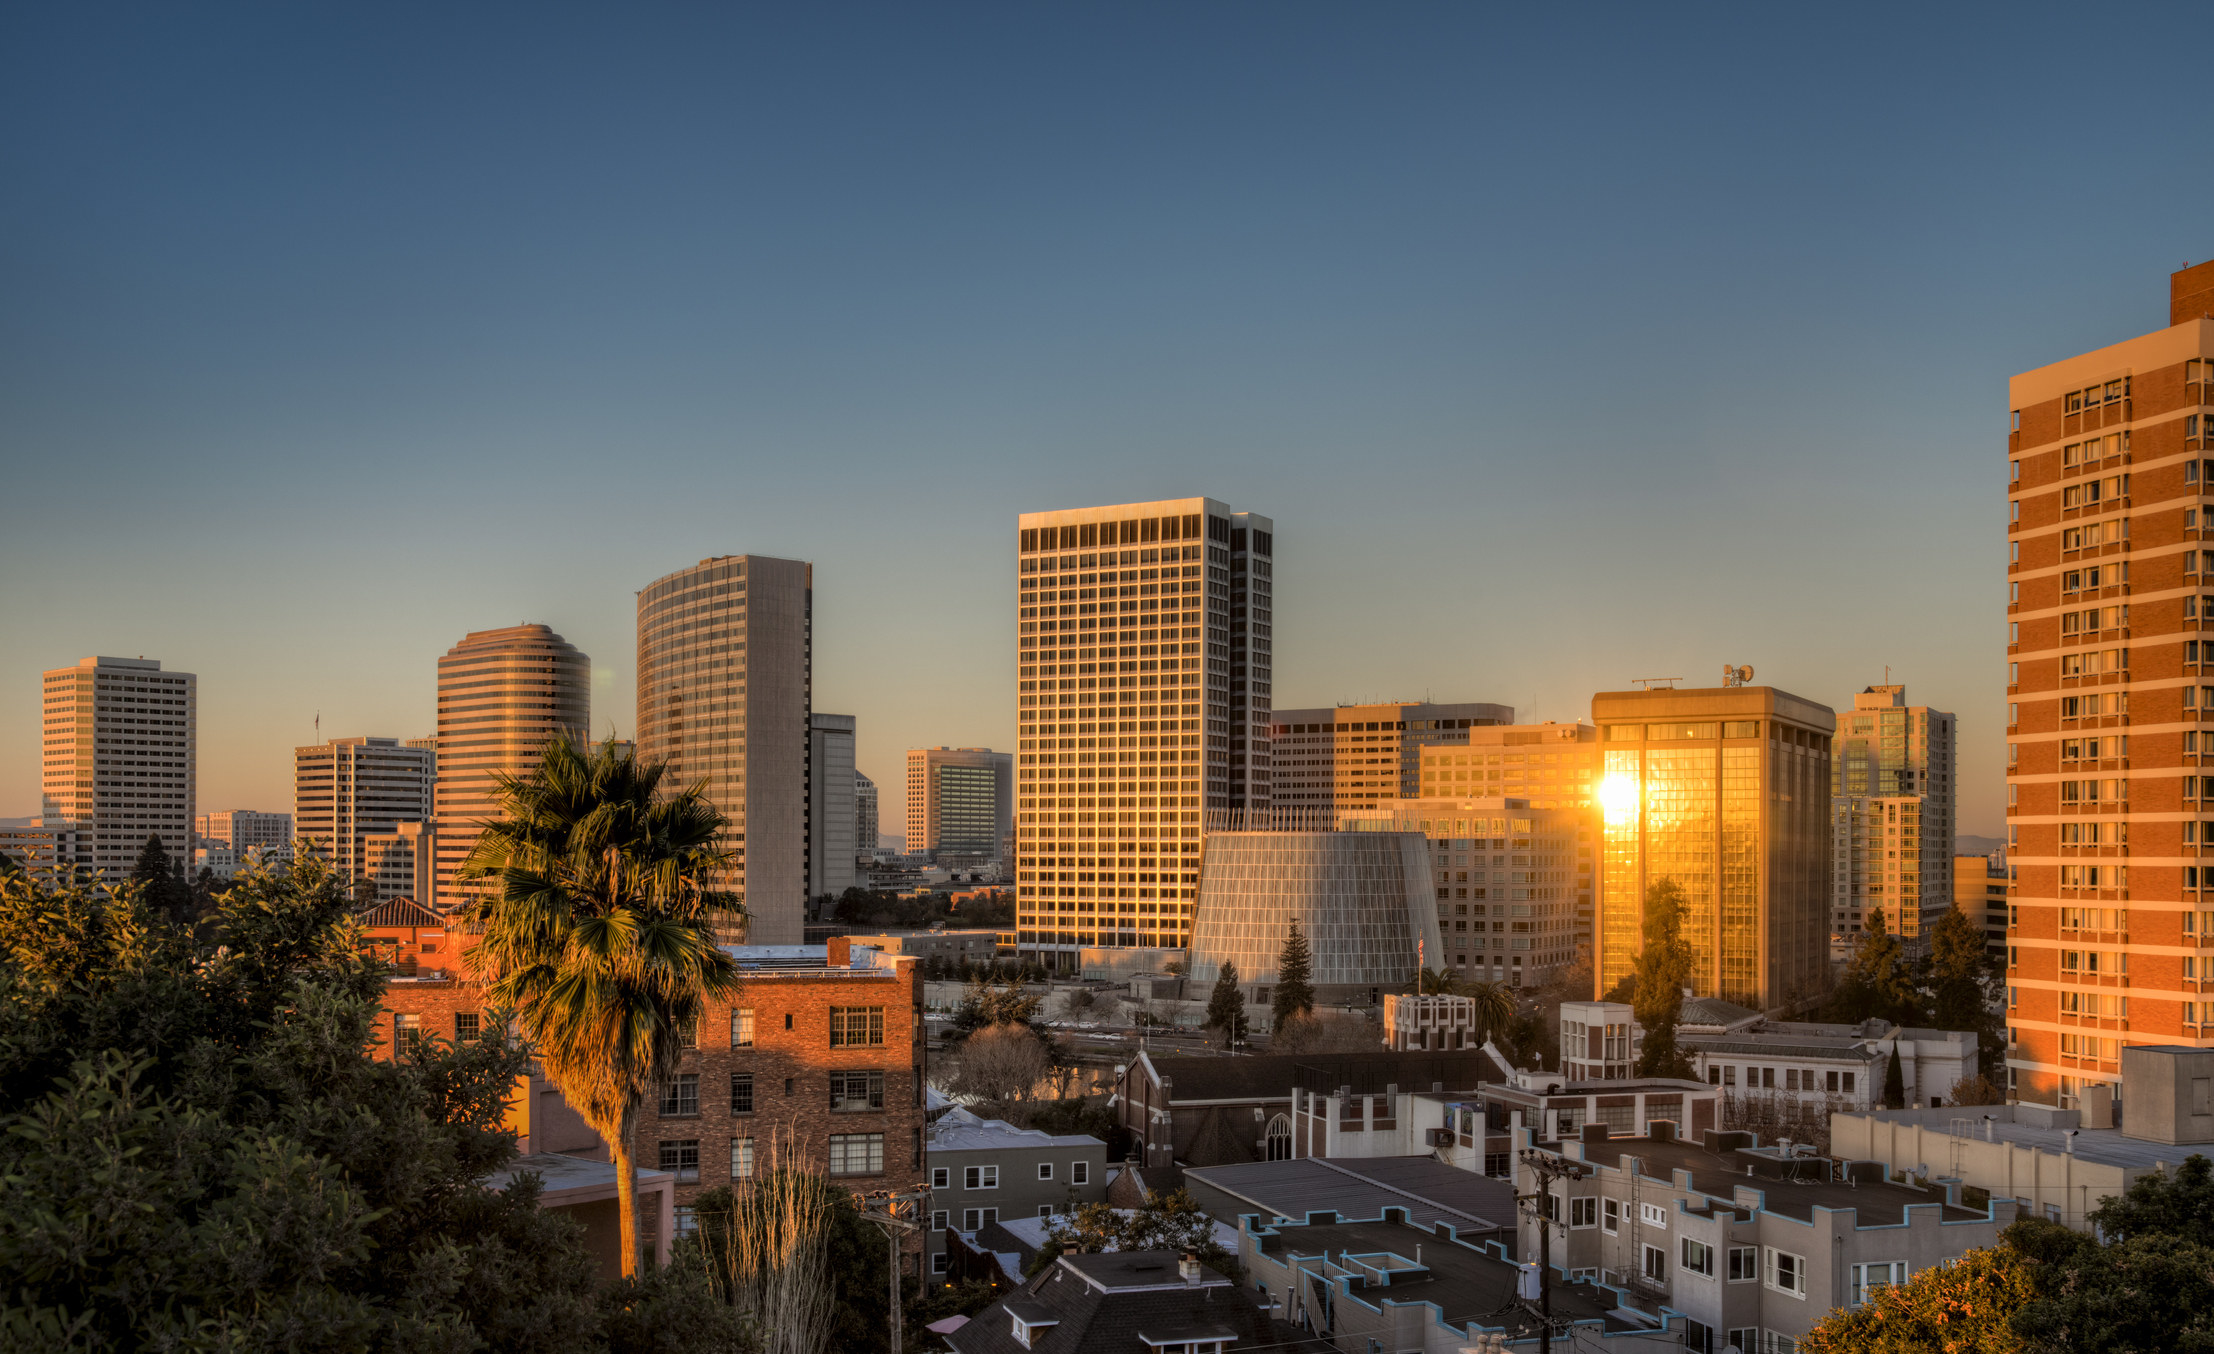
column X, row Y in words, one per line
column 818, row 1061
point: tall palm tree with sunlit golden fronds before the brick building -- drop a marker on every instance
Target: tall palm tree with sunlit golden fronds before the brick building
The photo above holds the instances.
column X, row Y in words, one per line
column 601, row 935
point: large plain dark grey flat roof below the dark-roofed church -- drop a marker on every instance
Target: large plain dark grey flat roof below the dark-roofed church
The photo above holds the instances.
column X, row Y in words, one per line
column 1365, row 1187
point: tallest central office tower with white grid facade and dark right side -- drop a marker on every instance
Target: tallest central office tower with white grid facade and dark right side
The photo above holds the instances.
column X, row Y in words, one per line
column 1144, row 671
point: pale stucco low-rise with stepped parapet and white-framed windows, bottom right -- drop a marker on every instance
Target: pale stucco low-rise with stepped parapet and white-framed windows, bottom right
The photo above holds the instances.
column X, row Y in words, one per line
column 1752, row 1244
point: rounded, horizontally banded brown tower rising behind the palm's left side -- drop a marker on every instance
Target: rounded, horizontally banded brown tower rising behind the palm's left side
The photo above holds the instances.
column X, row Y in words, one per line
column 504, row 696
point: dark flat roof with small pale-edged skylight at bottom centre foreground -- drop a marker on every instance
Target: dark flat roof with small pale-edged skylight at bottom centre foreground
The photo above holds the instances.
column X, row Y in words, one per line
column 1467, row 1284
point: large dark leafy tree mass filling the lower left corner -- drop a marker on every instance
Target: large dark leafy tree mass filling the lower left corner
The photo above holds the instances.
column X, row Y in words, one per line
column 198, row 1154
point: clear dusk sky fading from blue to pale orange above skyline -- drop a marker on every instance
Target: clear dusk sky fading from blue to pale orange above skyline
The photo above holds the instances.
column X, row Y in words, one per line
column 1564, row 348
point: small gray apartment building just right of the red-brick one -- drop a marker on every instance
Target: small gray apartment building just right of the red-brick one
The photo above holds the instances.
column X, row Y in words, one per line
column 986, row 1171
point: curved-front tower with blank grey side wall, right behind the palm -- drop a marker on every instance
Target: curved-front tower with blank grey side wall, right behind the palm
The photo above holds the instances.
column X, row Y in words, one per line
column 725, row 687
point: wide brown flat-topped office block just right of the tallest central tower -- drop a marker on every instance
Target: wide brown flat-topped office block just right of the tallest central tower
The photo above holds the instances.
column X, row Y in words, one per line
column 1347, row 758
